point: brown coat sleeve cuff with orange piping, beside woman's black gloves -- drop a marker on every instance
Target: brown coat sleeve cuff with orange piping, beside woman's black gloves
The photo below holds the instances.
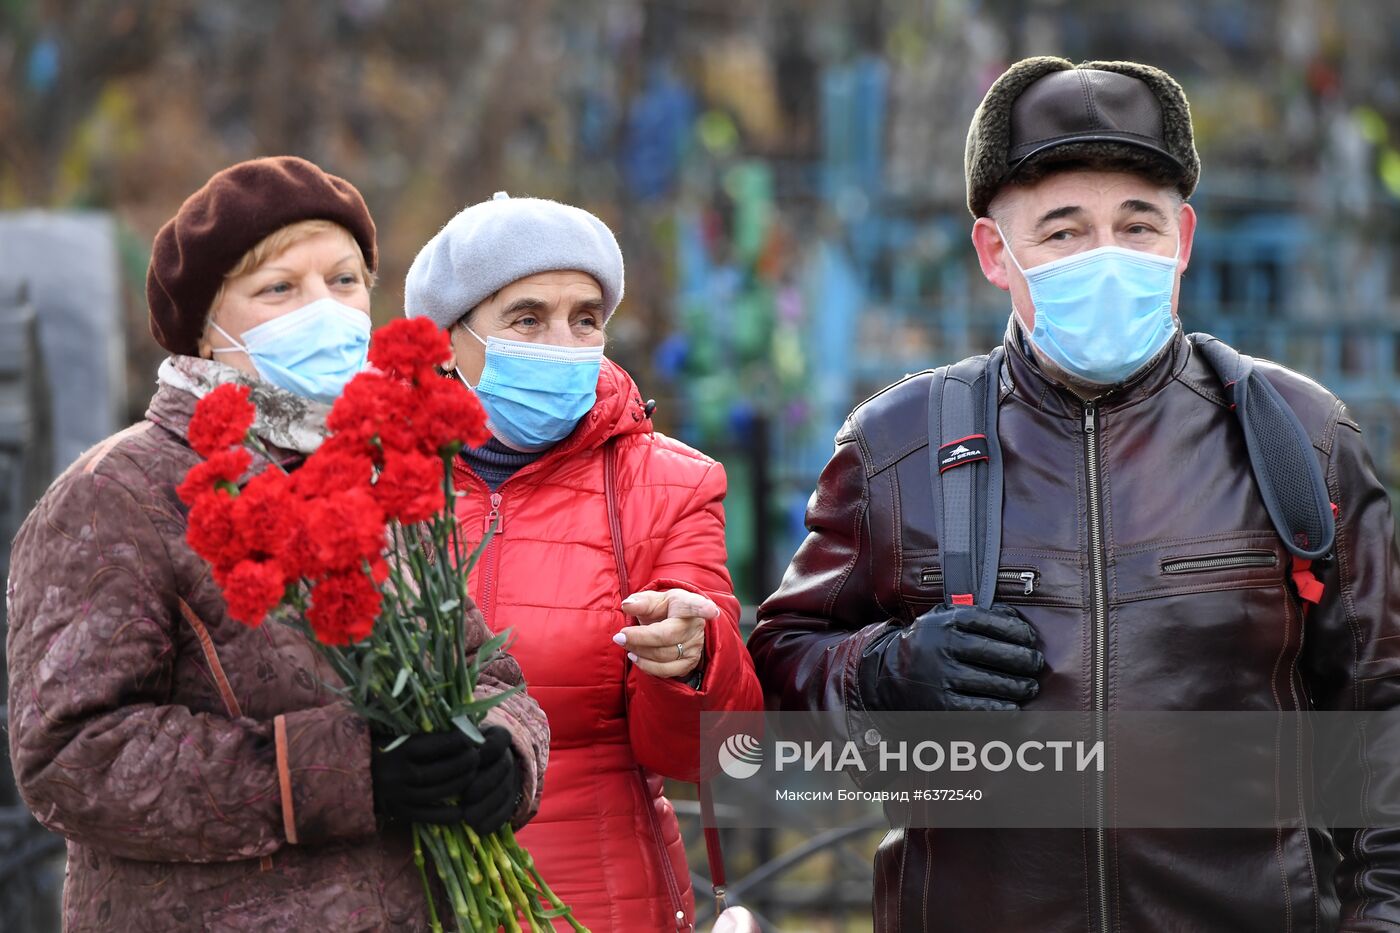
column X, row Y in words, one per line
column 324, row 775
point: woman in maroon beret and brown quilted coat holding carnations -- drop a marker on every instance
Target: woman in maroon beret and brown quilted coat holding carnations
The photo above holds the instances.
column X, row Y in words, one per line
column 205, row 774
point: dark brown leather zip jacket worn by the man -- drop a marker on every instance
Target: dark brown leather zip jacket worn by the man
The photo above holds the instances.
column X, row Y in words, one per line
column 1174, row 480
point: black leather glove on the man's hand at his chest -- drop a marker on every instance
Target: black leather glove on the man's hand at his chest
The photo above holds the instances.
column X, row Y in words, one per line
column 953, row 659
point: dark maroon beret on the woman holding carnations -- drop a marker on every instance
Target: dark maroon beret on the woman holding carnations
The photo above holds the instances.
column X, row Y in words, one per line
column 223, row 221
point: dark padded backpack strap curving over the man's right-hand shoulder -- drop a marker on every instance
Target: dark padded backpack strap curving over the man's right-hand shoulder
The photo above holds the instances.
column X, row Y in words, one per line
column 1280, row 452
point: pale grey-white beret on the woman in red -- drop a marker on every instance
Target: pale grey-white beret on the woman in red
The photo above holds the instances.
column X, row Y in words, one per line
column 492, row 244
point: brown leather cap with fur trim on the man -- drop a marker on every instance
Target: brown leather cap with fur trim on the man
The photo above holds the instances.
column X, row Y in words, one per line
column 1048, row 111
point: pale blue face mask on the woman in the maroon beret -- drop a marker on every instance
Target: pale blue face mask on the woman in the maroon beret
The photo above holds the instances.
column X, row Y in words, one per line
column 313, row 351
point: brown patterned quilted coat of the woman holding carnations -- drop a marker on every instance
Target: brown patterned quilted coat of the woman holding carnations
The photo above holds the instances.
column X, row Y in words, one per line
column 148, row 728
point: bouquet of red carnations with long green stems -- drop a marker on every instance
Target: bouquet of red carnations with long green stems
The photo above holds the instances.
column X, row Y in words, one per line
column 360, row 551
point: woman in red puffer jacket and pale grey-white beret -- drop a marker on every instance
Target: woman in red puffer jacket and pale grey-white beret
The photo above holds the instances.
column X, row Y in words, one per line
column 573, row 476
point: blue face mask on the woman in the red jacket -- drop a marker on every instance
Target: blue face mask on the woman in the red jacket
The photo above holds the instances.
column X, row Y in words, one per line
column 535, row 394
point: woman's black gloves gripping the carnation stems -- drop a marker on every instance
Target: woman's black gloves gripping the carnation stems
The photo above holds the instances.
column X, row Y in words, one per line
column 446, row 778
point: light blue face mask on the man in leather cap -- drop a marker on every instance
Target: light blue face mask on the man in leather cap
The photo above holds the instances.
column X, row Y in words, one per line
column 1102, row 315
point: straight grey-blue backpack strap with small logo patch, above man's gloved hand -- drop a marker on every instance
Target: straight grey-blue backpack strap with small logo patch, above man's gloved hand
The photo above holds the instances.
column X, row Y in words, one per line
column 965, row 462
